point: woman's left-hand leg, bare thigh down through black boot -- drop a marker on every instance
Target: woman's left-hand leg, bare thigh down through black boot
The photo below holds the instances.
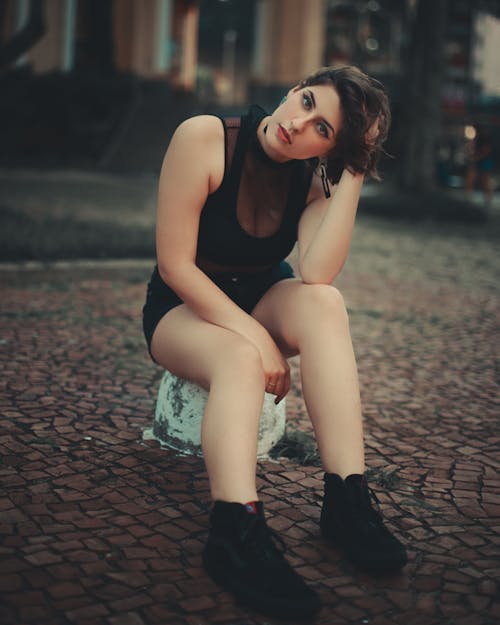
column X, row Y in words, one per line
column 238, row 554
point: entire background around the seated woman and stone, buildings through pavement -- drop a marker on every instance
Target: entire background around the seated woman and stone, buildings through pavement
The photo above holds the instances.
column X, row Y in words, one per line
column 99, row 526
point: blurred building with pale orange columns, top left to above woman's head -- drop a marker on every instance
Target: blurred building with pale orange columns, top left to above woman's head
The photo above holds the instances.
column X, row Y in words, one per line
column 214, row 45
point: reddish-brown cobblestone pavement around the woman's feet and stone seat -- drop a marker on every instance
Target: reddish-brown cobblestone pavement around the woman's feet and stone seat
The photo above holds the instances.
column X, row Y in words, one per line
column 98, row 527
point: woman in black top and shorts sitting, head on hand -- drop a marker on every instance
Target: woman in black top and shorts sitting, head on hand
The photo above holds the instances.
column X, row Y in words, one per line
column 225, row 311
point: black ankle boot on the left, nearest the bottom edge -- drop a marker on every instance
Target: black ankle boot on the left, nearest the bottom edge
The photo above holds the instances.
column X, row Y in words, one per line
column 242, row 555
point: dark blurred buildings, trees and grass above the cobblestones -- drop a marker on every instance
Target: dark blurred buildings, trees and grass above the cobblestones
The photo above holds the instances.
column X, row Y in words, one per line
column 92, row 90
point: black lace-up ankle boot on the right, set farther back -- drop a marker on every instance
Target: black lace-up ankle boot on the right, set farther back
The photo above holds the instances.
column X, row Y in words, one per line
column 349, row 521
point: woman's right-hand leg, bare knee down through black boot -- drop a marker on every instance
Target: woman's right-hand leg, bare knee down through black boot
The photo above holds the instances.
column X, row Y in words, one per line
column 313, row 319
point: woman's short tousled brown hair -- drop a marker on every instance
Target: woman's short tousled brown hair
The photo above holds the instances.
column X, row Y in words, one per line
column 363, row 100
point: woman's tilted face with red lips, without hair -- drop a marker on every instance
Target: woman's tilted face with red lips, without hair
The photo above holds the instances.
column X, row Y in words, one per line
column 304, row 125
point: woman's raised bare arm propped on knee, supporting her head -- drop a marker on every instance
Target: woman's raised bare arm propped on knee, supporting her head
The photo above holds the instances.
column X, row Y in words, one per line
column 325, row 230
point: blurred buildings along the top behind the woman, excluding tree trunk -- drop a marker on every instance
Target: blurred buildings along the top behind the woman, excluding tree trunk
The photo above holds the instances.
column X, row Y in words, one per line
column 226, row 53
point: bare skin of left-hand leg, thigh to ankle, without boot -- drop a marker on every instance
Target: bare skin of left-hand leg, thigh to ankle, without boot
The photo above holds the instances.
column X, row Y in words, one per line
column 230, row 367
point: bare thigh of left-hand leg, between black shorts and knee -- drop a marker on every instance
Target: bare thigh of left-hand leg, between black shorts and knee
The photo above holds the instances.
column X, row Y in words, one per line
column 192, row 348
